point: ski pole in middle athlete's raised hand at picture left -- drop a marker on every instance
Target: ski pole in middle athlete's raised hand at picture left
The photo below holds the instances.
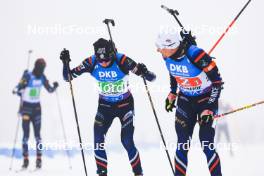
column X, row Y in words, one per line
column 76, row 116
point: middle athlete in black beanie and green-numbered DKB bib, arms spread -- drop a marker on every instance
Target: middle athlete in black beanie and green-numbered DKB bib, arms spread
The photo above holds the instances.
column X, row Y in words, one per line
column 111, row 70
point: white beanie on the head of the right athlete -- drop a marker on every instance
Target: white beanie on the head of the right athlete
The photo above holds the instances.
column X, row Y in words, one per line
column 168, row 40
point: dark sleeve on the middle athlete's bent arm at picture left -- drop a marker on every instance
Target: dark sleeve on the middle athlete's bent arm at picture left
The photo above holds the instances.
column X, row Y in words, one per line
column 85, row 67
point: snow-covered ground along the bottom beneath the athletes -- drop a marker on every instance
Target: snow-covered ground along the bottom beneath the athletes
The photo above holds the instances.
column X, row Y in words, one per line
column 245, row 161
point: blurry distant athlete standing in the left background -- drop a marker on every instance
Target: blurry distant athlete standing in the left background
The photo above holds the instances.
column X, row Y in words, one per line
column 29, row 89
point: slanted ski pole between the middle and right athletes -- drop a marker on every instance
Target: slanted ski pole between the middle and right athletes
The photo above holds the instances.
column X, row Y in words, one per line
column 159, row 127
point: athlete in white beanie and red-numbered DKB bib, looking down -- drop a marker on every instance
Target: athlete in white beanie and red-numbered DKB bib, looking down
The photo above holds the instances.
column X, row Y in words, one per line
column 195, row 75
